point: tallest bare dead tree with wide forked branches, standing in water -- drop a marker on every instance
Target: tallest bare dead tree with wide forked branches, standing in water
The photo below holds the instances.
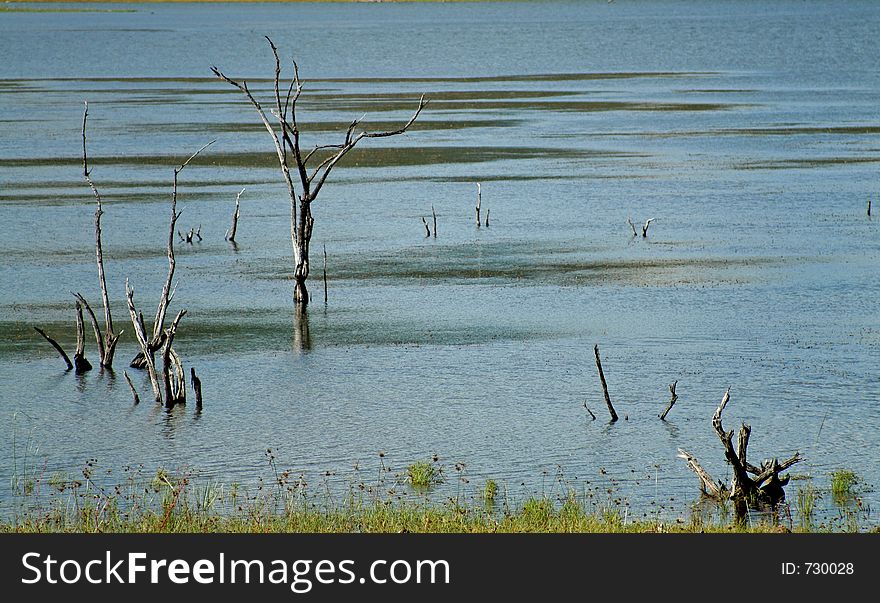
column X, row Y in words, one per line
column 286, row 140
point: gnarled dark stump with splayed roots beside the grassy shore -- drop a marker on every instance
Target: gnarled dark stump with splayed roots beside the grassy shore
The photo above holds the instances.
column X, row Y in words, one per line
column 764, row 490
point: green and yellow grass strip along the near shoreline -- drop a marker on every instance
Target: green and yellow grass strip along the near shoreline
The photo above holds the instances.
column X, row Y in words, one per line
column 167, row 502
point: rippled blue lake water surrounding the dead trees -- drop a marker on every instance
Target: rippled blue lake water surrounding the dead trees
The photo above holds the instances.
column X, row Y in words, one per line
column 749, row 130
